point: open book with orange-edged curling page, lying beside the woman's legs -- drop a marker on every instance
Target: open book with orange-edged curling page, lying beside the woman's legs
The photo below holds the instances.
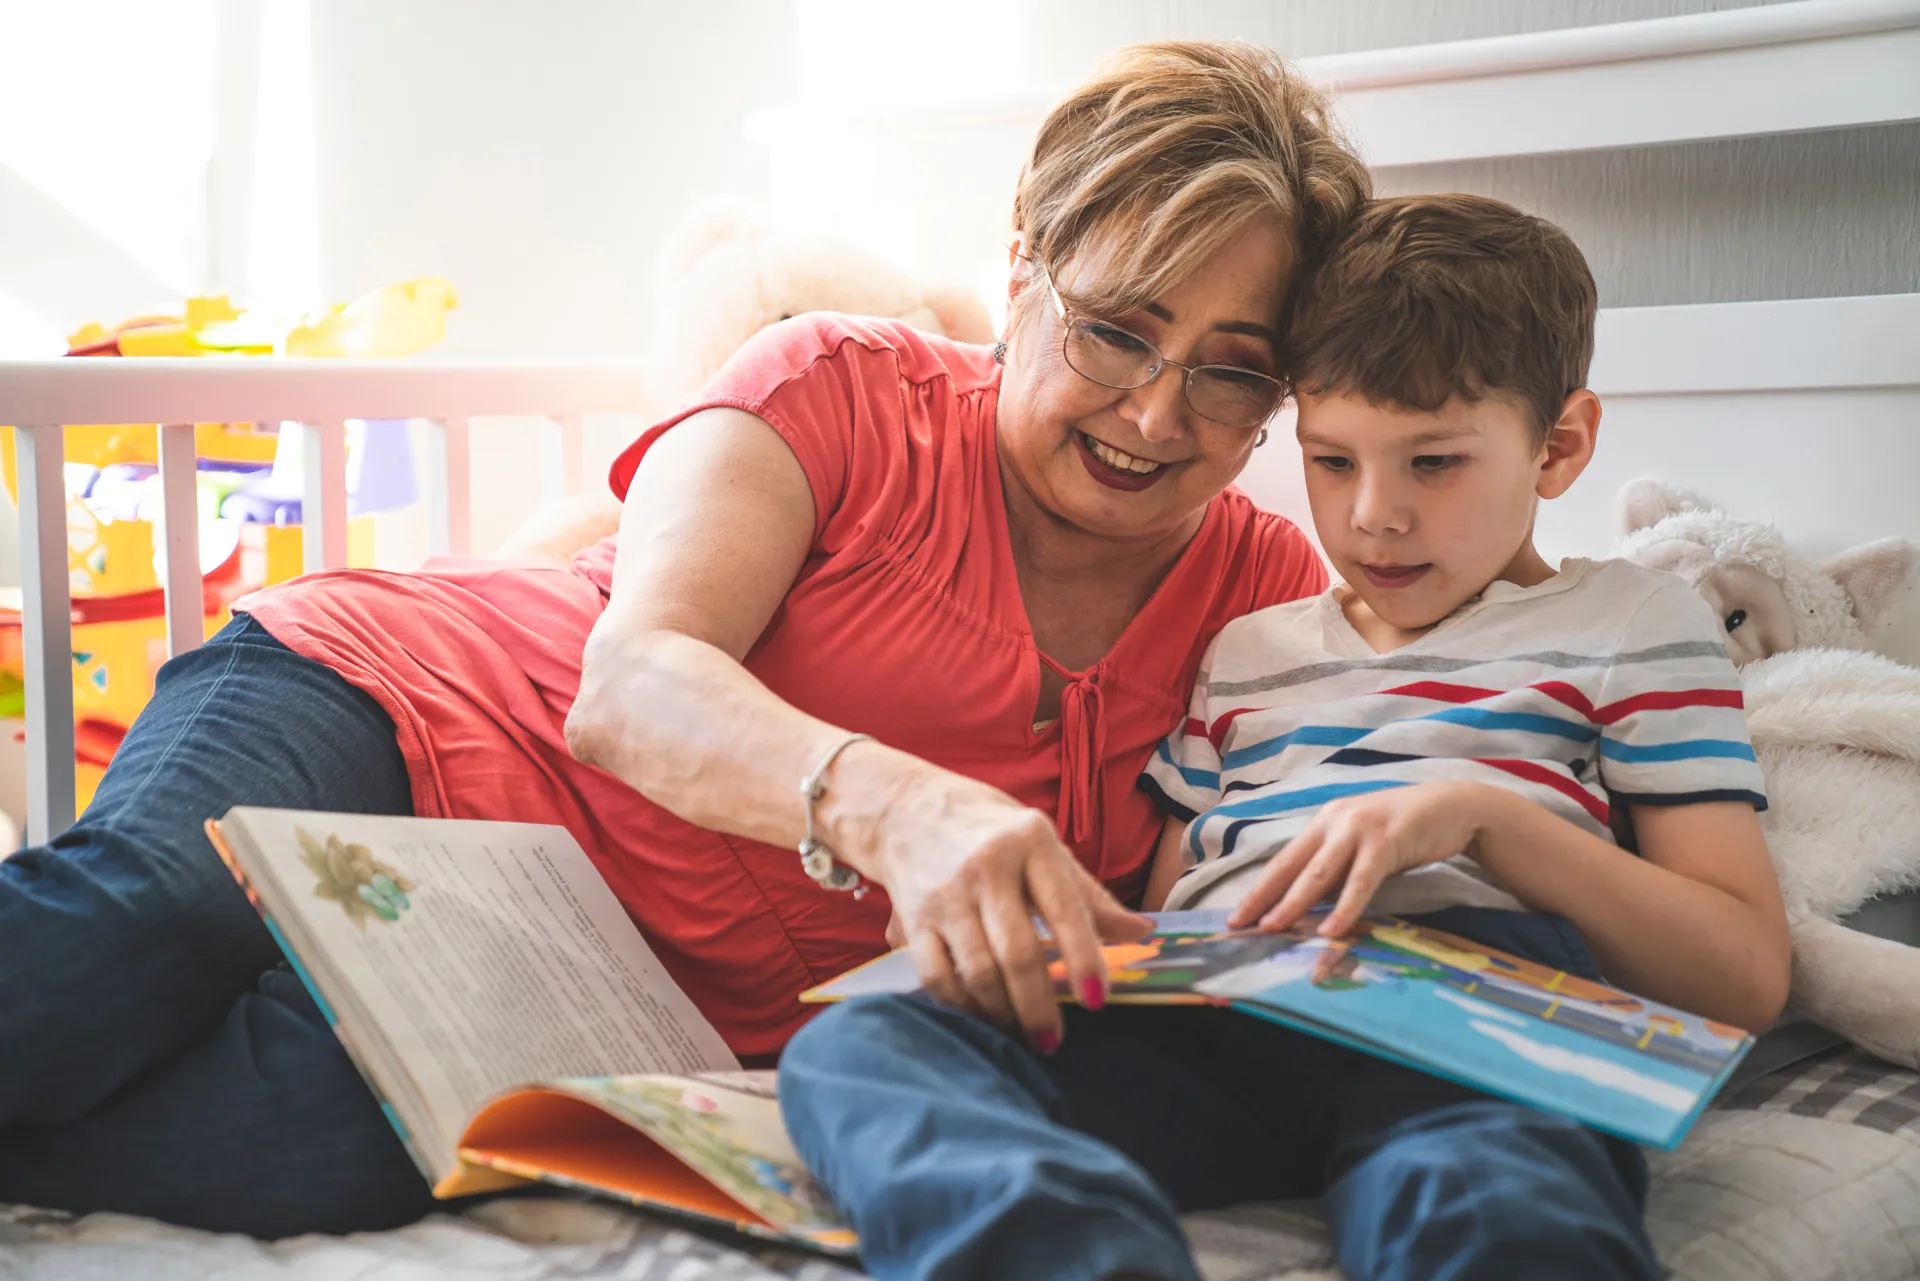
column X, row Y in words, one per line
column 514, row 1023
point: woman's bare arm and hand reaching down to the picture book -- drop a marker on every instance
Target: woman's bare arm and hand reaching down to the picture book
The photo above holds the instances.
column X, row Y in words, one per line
column 717, row 527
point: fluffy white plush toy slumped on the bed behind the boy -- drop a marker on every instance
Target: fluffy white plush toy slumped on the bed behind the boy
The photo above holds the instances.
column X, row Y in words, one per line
column 1836, row 731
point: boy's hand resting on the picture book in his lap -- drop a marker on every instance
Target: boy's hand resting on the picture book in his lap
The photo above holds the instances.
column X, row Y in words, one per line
column 1362, row 842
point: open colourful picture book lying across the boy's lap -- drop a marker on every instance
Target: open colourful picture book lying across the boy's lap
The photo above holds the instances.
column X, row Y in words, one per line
column 1426, row 1000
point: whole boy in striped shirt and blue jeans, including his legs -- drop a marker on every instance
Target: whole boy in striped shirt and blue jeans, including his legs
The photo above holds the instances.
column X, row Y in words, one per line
column 1456, row 733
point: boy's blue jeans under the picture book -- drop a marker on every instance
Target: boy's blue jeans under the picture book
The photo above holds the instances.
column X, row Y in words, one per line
column 961, row 1153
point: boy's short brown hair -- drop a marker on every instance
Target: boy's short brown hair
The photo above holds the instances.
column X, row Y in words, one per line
column 1437, row 297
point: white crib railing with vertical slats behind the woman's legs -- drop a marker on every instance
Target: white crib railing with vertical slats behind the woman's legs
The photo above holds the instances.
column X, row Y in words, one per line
column 39, row 399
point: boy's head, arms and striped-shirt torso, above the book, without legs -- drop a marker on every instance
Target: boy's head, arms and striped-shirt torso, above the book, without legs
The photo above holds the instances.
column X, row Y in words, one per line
column 1458, row 723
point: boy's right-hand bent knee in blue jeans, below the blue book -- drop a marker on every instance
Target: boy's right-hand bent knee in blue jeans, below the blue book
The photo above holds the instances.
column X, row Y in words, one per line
column 1491, row 1190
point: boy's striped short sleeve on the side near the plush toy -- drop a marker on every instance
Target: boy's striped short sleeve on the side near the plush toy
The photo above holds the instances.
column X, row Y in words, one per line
column 1673, row 727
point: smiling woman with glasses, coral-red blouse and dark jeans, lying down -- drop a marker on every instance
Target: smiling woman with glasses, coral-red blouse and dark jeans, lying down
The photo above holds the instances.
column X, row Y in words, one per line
column 1003, row 573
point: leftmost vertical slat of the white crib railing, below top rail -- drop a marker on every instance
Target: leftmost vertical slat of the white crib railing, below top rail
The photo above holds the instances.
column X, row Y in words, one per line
column 47, row 631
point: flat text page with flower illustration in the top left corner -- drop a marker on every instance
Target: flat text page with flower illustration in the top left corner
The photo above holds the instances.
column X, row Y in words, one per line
column 485, row 954
